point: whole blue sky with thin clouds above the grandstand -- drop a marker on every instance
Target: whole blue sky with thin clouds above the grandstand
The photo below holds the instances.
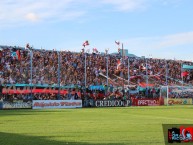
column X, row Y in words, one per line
column 151, row 28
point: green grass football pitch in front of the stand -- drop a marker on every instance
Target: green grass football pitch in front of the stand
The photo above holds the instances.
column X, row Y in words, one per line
column 131, row 125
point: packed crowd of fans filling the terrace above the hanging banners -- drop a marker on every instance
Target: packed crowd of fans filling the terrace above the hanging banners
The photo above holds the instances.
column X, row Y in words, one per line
column 15, row 69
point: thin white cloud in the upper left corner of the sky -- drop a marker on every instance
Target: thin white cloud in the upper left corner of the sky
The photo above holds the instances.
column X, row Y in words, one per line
column 16, row 12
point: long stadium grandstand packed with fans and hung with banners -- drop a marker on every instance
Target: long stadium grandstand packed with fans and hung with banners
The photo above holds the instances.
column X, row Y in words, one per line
column 96, row 75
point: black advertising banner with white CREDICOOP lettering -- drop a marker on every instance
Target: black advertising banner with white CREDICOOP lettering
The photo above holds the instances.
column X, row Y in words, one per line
column 112, row 103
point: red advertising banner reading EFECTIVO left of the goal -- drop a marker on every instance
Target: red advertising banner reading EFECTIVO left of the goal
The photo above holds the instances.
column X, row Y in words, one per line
column 145, row 102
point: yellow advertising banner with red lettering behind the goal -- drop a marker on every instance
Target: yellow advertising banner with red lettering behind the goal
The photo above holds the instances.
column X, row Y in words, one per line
column 178, row 101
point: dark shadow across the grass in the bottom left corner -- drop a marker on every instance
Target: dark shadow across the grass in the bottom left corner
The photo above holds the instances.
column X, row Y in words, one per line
column 20, row 139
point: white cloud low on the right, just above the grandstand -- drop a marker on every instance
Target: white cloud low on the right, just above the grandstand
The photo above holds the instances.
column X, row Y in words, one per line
column 169, row 46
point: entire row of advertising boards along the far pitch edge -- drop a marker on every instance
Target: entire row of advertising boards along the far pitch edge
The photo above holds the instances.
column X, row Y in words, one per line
column 58, row 104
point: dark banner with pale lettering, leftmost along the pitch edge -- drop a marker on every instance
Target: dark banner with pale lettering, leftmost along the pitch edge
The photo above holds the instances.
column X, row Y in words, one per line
column 16, row 105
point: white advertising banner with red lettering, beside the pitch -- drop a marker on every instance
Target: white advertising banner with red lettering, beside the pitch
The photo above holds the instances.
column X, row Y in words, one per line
column 51, row 104
